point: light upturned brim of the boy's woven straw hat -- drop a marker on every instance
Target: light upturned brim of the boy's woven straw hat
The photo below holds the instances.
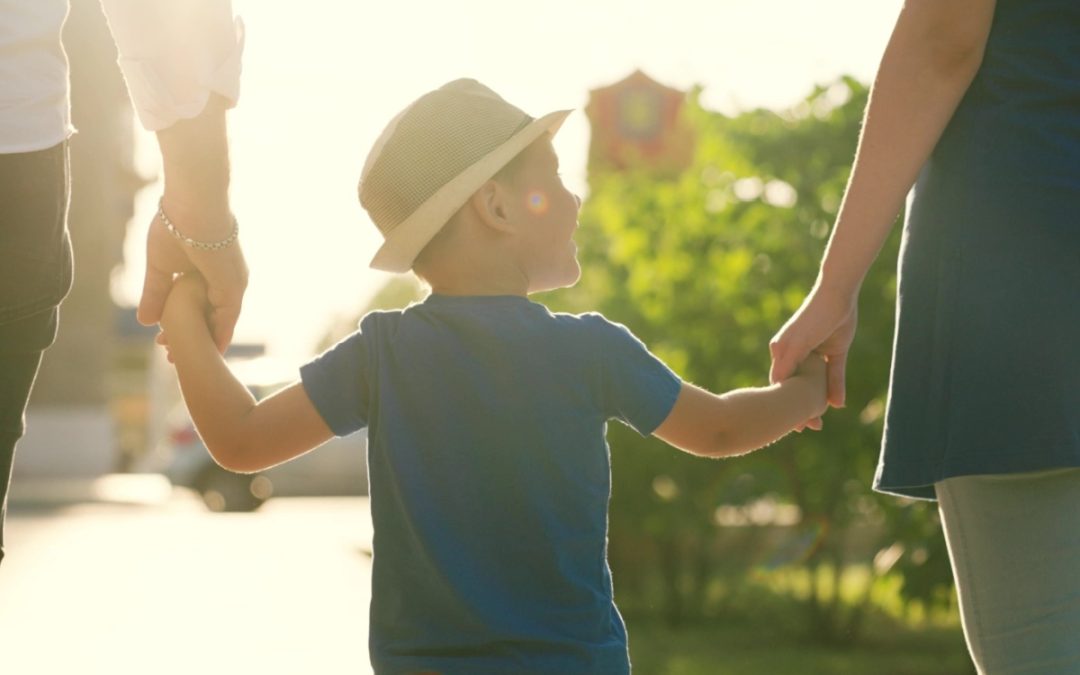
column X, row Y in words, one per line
column 406, row 242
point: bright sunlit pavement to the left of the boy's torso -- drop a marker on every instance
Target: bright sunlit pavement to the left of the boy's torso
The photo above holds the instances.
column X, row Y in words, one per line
column 146, row 582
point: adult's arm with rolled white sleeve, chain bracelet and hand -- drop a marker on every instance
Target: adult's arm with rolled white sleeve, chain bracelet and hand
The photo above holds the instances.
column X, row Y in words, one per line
column 182, row 64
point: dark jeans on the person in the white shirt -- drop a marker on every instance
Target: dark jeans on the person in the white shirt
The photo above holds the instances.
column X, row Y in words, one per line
column 35, row 276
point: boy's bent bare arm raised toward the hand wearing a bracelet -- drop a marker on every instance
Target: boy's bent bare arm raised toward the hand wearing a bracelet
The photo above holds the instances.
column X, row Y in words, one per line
column 242, row 435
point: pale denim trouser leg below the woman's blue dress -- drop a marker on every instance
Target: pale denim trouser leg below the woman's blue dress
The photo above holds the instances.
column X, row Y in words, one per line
column 1015, row 542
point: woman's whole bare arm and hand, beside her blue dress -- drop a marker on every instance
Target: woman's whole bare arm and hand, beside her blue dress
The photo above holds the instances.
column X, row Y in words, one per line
column 933, row 57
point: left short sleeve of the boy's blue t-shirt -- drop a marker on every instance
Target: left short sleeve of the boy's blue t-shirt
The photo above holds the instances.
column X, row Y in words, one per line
column 336, row 383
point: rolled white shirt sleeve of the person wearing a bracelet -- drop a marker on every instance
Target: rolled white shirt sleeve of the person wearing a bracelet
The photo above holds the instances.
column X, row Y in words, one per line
column 175, row 53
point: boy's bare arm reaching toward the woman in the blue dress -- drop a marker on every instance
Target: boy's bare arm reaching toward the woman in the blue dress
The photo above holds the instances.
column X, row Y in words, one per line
column 746, row 420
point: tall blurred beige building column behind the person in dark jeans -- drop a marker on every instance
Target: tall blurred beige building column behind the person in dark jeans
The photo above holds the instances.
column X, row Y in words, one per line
column 71, row 424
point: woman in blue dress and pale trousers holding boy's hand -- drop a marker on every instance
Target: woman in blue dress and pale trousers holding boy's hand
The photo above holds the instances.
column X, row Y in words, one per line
column 977, row 104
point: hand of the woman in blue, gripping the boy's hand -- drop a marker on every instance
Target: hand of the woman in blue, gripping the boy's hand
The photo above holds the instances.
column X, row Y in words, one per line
column 822, row 328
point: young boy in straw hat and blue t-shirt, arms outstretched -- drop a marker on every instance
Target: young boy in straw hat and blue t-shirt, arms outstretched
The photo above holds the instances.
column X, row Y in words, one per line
column 487, row 413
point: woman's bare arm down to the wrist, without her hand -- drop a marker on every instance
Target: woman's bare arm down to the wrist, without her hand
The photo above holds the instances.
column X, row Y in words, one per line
column 928, row 65
